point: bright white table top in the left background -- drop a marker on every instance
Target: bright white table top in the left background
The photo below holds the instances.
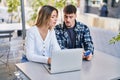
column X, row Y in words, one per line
column 12, row 26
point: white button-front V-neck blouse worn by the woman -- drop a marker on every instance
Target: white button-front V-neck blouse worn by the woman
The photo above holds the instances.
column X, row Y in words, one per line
column 37, row 49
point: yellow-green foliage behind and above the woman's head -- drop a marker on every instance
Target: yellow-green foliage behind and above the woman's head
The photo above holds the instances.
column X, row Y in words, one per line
column 37, row 3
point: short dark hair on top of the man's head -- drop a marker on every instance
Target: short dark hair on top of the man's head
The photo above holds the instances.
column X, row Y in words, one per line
column 69, row 9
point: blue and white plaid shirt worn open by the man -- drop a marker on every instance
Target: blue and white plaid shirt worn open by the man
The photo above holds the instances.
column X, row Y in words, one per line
column 83, row 38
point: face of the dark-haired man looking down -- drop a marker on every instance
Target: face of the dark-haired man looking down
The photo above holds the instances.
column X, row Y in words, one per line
column 69, row 19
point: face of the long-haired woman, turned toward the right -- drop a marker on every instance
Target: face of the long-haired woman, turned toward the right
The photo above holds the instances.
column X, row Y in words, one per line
column 53, row 19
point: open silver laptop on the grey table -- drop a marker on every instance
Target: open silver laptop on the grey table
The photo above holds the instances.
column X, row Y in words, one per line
column 66, row 60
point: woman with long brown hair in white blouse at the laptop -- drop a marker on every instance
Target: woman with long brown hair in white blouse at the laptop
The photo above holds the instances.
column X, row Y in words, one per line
column 41, row 39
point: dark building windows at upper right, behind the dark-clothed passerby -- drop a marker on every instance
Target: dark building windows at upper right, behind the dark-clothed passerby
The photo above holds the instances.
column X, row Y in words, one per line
column 93, row 6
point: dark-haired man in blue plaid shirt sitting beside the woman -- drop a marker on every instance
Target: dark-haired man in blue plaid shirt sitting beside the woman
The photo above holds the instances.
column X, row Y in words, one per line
column 73, row 34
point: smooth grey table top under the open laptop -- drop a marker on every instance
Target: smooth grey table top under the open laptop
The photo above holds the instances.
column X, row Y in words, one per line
column 101, row 67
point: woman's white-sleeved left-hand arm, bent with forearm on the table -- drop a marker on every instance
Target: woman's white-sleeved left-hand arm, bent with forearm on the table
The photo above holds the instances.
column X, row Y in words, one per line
column 31, row 51
